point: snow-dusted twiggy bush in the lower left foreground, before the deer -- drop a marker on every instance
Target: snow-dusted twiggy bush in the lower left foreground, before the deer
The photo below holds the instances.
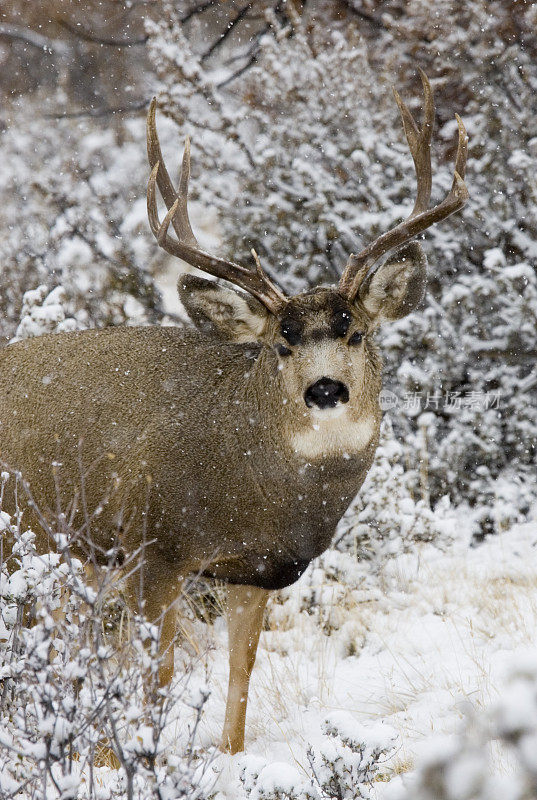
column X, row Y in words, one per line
column 74, row 698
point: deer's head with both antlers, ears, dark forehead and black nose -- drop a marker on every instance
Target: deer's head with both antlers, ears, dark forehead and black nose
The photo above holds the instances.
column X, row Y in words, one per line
column 322, row 337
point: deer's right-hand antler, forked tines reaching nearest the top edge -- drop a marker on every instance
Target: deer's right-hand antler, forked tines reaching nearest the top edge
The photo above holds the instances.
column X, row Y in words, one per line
column 422, row 217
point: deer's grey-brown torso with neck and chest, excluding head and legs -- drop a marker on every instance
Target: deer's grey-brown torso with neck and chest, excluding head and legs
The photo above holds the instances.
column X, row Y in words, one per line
column 228, row 495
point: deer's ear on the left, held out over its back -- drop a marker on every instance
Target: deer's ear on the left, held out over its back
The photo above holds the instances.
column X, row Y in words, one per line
column 221, row 311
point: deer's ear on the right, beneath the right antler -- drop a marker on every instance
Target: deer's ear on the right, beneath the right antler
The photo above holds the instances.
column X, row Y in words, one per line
column 397, row 287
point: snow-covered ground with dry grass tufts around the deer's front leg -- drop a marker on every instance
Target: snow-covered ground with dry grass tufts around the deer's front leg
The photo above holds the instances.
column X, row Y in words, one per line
column 432, row 633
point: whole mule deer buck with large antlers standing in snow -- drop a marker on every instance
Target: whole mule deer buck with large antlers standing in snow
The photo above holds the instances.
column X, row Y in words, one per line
column 255, row 428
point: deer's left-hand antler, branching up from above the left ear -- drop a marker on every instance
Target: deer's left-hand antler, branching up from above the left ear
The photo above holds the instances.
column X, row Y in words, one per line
column 186, row 247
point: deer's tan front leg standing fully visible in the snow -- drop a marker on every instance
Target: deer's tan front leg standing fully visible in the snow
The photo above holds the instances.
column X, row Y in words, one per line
column 244, row 609
